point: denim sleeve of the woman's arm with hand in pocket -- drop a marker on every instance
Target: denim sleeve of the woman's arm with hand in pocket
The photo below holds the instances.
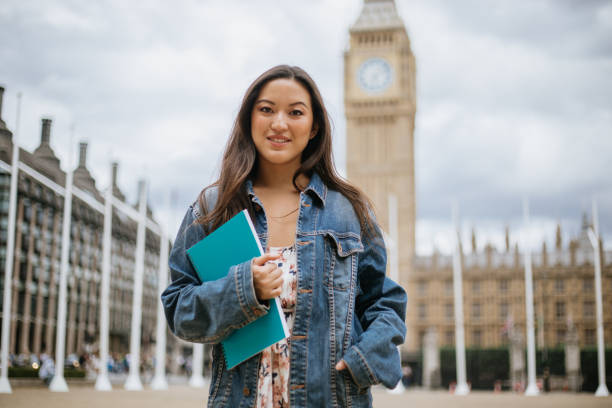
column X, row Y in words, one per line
column 380, row 308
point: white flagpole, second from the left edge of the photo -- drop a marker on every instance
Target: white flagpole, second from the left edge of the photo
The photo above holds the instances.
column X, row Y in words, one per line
column 58, row 384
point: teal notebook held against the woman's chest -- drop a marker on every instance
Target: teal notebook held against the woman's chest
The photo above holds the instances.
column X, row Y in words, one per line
column 231, row 244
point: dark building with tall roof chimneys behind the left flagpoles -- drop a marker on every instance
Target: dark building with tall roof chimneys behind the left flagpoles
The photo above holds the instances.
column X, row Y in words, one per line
column 37, row 256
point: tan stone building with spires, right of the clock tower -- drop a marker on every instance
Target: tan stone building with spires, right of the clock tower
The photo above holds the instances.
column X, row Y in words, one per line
column 494, row 294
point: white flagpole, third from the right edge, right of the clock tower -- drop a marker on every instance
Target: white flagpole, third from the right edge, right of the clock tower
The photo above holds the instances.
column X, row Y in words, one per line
column 462, row 387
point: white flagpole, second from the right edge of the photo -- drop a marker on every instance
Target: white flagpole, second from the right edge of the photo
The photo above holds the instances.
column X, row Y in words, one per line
column 532, row 387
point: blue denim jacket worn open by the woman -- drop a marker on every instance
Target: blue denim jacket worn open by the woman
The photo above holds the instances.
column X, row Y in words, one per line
column 346, row 307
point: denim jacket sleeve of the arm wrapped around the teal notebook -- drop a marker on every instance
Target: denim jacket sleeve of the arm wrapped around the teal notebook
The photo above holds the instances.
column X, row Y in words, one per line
column 206, row 312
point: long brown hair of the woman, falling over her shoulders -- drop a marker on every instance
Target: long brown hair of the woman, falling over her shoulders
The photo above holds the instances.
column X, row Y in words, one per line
column 240, row 157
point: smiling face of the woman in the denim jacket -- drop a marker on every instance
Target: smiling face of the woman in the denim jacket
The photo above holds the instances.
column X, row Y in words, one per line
column 281, row 122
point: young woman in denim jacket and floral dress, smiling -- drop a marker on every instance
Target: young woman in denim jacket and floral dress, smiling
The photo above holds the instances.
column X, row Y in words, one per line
column 325, row 258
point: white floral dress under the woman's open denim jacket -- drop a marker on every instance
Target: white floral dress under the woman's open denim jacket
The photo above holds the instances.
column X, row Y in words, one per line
column 273, row 383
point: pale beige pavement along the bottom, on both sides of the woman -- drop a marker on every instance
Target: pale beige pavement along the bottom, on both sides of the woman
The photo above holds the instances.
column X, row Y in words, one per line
column 182, row 396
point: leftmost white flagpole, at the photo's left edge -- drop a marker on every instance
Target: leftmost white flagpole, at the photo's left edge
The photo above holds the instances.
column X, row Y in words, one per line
column 5, row 386
